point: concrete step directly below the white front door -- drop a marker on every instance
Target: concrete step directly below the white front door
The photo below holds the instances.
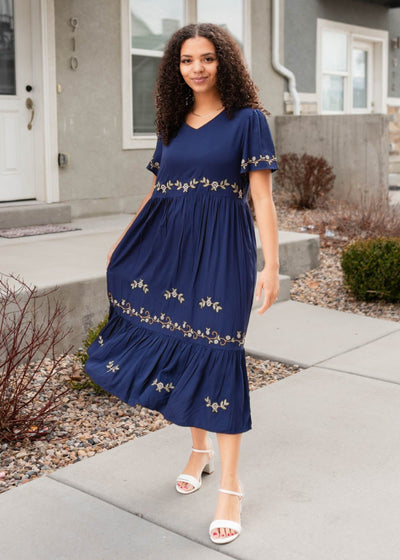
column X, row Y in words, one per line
column 18, row 214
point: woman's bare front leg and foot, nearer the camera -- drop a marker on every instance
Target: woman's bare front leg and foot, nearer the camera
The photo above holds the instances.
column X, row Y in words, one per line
column 228, row 506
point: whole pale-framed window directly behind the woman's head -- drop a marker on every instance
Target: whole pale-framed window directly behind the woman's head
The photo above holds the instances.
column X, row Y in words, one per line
column 149, row 26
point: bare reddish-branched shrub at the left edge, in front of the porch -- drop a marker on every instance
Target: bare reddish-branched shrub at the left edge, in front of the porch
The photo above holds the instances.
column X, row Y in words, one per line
column 31, row 328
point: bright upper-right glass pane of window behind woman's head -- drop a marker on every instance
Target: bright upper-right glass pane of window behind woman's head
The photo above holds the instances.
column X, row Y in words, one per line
column 226, row 13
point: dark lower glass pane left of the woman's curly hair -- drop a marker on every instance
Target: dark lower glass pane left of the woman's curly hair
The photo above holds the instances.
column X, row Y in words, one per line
column 144, row 73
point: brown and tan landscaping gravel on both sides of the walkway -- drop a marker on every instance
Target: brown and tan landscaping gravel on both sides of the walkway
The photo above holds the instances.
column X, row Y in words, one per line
column 87, row 423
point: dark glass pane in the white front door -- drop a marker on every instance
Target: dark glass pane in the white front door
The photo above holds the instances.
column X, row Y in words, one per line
column 7, row 52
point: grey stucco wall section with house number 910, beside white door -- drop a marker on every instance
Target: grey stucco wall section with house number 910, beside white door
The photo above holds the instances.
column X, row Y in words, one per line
column 101, row 176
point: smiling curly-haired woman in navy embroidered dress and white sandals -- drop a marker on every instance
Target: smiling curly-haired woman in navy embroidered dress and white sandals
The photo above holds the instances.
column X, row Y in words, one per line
column 181, row 277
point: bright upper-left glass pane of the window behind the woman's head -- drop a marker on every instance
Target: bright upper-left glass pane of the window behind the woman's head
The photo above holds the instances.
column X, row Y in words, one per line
column 153, row 23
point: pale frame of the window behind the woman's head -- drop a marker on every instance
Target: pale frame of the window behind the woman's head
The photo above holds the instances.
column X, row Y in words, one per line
column 148, row 141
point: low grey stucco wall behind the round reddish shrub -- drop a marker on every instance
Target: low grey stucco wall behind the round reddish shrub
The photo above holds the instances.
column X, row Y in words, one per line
column 355, row 145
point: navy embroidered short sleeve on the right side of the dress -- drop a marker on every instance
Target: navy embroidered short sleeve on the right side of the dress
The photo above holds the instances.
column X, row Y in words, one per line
column 258, row 151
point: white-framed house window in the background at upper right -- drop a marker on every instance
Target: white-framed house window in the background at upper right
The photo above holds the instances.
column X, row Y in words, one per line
column 351, row 68
